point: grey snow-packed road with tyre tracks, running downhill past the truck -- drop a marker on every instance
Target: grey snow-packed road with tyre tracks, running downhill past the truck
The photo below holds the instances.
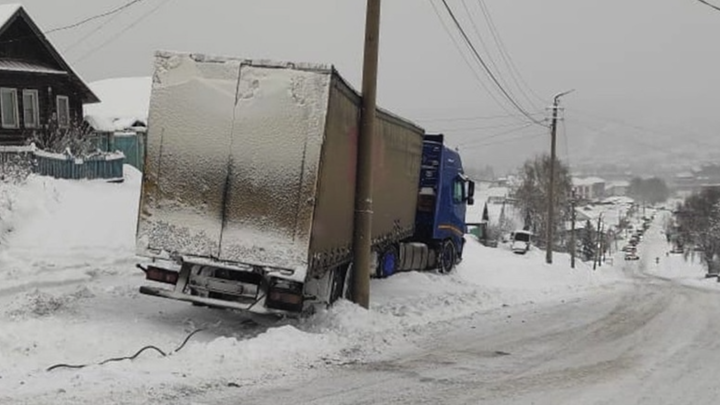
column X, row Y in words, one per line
column 649, row 340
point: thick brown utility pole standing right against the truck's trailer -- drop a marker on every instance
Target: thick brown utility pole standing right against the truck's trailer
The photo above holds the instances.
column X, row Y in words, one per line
column 362, row 237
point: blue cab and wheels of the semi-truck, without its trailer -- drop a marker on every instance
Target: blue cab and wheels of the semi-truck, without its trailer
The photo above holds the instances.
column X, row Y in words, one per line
column 444, row 192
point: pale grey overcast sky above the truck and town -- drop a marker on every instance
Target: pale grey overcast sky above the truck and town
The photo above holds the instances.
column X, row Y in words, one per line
column 652, row 64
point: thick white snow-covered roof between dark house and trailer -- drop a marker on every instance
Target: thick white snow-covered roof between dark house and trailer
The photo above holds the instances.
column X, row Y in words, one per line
column 124, row 98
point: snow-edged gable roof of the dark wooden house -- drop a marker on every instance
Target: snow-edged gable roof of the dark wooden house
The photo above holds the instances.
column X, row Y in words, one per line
column 9, row 13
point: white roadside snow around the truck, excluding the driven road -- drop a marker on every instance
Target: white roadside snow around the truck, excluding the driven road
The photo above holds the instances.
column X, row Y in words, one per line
column 68, row 294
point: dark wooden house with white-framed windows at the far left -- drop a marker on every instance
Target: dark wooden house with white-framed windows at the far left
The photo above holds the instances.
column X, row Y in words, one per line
column 39, row 92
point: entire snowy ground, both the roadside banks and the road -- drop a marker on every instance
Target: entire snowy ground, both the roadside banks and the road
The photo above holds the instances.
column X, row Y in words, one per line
column 502, row 329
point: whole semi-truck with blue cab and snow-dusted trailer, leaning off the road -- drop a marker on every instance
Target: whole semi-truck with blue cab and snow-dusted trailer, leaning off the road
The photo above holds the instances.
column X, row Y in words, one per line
column 248, row 192
